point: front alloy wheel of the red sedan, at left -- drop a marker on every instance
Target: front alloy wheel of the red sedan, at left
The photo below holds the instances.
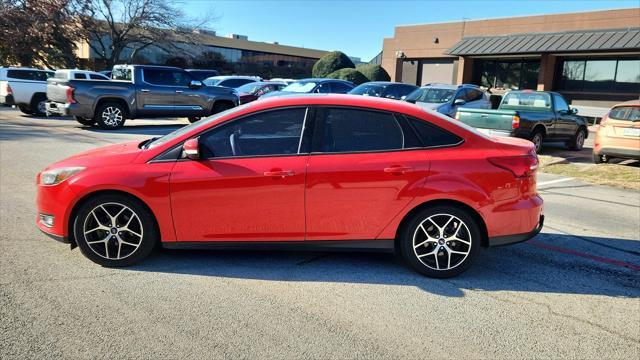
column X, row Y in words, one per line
column 113, row 231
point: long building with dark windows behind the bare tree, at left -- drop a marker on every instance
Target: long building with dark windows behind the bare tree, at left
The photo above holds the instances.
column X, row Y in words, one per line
column 239, row 54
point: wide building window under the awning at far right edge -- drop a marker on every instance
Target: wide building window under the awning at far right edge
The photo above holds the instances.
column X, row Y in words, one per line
column 601, row 76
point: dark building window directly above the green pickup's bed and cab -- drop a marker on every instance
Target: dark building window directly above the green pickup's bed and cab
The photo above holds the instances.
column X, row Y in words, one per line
column 507, row 74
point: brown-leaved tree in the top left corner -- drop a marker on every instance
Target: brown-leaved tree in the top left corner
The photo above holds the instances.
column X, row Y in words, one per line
column 38, row 33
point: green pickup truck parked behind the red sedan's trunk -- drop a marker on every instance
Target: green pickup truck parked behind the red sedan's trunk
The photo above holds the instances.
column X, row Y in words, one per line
column 534, row 115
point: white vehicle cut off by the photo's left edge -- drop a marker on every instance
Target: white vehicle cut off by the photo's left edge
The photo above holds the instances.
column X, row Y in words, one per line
column 26, row 88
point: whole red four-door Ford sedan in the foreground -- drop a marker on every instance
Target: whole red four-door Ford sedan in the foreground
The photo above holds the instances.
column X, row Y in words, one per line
column 303, row 172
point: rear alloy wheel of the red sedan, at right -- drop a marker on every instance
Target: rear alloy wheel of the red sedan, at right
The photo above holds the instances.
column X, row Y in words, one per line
column 442, row 242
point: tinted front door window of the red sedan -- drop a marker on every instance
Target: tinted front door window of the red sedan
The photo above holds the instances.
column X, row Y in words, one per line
column 269, row 133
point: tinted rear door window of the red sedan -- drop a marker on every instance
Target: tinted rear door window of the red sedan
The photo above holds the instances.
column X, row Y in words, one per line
column 346, row 130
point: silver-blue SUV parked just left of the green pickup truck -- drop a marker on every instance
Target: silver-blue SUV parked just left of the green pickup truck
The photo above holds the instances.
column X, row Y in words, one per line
column 446, row 99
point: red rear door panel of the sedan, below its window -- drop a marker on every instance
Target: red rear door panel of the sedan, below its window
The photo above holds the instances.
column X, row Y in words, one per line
column 353, row 196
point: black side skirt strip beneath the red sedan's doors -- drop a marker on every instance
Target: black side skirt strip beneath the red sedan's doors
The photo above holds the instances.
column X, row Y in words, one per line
column 323, row 245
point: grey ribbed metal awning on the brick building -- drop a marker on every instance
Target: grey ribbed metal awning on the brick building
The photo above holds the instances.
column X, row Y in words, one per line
column 572, row 41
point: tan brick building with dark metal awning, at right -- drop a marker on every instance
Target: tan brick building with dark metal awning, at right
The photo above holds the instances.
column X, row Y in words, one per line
column 592, row 58
